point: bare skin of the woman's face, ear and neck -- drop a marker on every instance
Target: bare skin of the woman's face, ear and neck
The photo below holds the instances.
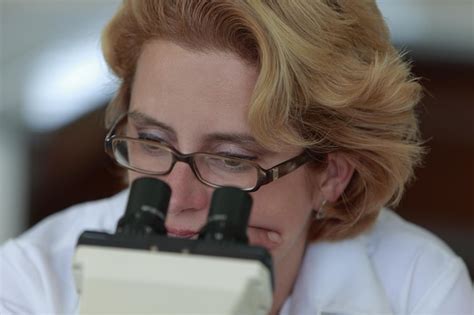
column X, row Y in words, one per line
column 191, row 99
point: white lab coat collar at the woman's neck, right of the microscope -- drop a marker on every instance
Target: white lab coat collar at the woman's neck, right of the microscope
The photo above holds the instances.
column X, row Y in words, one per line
column 338, row 278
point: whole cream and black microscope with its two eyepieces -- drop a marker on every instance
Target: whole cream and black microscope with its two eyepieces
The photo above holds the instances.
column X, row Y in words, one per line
column 141, row 270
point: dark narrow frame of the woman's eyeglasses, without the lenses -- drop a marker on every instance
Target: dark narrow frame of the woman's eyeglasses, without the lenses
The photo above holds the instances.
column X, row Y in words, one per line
column 264, row 176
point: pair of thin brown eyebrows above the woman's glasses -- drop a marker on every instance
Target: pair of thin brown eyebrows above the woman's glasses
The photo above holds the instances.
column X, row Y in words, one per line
column 235, row 138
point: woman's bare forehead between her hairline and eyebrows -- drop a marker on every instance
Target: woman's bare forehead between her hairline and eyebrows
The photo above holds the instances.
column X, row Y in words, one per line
column 193, row 90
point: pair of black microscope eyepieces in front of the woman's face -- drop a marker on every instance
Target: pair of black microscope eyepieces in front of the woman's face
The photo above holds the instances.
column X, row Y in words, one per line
column 147, row 208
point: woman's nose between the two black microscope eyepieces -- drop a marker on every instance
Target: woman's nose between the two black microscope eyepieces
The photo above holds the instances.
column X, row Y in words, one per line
column 188, row 194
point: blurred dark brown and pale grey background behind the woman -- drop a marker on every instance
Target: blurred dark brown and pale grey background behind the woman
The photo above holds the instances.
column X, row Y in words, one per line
column 54, row 85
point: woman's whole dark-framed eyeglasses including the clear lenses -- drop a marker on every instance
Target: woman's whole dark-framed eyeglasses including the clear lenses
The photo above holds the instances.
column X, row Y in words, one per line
column 155, row 158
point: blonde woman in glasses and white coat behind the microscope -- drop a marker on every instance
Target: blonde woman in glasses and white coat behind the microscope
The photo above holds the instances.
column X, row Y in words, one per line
column 315, row 85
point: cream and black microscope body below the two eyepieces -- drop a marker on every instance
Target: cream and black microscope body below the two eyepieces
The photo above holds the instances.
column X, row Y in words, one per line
column 133, row 273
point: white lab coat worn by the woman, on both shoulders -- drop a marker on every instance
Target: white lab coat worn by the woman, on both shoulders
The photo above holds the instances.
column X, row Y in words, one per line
column 395, row 268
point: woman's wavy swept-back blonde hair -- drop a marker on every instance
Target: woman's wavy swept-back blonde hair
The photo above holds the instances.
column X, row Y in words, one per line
column 329, row 80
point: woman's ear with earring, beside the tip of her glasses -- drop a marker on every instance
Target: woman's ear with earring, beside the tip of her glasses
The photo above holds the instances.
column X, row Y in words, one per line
column 335, row 178
